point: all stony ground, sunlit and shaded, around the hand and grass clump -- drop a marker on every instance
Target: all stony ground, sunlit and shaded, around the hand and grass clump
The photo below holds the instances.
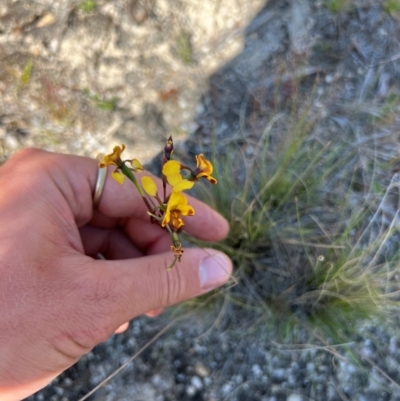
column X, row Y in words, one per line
column 77, row 78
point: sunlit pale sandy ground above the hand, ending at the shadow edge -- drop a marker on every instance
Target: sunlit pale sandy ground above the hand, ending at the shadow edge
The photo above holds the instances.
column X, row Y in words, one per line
column 82, row 76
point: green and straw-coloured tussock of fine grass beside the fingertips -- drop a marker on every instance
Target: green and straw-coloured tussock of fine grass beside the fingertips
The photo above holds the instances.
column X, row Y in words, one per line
column 314, row 242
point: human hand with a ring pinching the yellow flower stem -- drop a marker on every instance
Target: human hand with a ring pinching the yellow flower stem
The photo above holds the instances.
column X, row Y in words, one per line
column 57, row 302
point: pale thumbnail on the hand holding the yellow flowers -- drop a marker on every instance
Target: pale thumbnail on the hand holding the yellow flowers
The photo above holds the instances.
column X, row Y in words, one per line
column 214, row 271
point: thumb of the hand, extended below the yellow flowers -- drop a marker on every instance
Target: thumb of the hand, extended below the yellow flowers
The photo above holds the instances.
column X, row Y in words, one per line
column 136, row 286
